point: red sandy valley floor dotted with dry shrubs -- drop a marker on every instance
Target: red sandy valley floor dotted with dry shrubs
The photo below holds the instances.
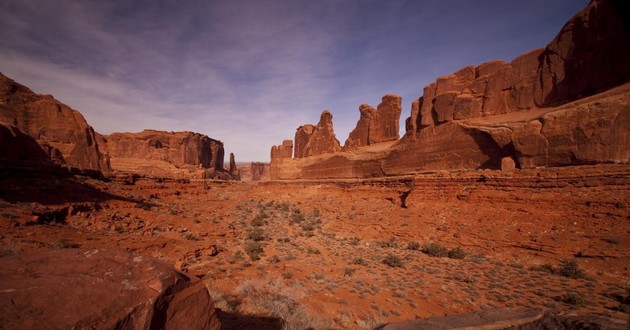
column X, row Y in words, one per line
column 355, row 253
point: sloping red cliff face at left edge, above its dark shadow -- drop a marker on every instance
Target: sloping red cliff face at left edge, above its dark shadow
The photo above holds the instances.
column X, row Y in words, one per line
column 60, row 131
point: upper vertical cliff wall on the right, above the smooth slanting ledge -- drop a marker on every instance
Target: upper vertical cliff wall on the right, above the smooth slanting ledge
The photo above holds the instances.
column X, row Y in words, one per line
column 589, row 55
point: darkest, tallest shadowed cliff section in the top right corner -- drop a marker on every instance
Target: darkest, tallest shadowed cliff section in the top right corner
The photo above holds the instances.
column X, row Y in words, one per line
column 589, row 55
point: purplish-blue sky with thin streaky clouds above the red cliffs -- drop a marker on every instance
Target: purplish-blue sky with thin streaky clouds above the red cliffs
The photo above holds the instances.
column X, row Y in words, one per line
column 249, row 72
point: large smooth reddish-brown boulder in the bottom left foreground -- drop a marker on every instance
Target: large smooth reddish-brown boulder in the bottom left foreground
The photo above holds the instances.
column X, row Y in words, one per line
column 99, row 289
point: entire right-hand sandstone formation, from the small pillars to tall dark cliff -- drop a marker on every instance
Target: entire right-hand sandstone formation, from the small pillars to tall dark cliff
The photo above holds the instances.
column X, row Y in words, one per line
column 565, row 104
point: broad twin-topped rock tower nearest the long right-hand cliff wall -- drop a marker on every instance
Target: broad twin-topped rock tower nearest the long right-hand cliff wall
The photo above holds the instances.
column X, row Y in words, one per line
column 376, row 125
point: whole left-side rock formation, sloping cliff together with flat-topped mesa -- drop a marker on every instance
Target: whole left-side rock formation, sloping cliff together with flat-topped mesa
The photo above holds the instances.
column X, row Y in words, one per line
column 39, row 131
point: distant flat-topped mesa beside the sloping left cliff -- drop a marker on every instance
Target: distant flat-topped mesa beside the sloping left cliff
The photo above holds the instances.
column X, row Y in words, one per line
column 176, row 148
